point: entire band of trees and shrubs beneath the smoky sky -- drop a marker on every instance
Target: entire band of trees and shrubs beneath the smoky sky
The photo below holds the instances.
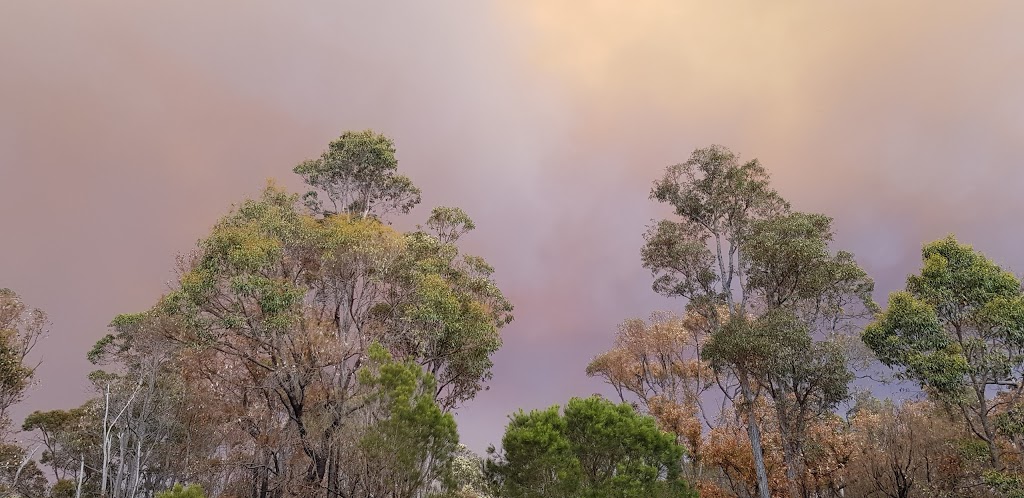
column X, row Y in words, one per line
column 311, row 349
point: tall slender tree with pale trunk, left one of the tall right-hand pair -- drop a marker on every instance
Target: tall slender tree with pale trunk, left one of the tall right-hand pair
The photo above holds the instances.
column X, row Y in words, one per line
column 698, row 258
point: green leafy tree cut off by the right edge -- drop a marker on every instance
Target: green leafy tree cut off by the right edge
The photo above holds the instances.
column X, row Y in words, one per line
column 959, row 331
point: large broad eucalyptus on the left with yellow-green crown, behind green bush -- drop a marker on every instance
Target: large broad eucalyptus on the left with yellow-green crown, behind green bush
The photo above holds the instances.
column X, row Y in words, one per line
column 275, row 313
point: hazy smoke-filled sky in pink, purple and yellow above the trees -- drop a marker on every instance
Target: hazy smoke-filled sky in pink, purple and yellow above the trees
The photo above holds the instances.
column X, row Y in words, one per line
column 127, row 129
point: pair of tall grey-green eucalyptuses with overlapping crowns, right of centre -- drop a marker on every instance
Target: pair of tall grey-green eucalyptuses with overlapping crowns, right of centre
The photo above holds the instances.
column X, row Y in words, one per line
column 764, row 280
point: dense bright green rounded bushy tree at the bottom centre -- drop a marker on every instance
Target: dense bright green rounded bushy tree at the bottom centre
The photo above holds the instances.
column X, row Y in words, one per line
column 594, row 449
